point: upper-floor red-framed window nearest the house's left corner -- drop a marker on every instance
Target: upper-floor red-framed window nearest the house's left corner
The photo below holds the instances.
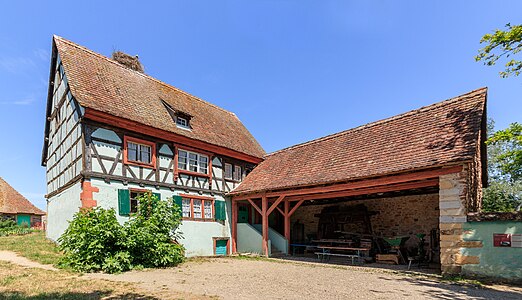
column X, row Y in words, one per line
column 139, row 152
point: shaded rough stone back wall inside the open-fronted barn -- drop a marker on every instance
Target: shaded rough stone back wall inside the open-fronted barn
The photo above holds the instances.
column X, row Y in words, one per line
column 395, row 216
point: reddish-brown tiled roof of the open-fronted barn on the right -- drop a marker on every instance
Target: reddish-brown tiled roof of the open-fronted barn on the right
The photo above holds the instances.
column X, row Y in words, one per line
column 443, row 133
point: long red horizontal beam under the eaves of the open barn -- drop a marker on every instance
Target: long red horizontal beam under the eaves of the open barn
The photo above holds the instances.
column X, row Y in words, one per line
column 385, row 180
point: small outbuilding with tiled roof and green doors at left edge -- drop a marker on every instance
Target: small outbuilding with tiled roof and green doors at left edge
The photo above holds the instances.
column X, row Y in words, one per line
column 16, row 207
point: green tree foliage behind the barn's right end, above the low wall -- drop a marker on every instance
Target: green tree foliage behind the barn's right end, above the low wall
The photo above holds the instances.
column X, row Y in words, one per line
column 504, row 168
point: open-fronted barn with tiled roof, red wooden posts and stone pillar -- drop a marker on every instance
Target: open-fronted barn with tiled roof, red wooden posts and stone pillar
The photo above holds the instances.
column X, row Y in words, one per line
column 369, row 191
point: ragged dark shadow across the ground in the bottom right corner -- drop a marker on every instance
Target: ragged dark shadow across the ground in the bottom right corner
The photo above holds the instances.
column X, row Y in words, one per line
column 447, row 290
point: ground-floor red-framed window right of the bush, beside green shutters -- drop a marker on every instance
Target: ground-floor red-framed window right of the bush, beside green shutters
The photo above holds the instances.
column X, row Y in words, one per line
column 197, row 208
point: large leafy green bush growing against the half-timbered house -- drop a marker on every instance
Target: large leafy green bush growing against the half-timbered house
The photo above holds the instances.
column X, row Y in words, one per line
column 95, row 241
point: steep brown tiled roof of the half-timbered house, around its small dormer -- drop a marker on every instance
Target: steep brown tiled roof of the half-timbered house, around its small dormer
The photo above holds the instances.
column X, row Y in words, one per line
column 102, row 84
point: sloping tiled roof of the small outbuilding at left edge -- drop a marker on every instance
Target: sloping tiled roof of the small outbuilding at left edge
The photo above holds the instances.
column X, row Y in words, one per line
column 12, row 202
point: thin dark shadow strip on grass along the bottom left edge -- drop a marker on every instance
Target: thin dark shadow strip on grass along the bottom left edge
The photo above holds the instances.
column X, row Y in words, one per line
column 12, row 295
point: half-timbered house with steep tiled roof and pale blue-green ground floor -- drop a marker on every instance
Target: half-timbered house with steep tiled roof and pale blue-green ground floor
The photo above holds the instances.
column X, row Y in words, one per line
column 112, row 133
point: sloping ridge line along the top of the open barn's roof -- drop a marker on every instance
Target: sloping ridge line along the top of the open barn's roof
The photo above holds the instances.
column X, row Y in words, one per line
column 382, row 121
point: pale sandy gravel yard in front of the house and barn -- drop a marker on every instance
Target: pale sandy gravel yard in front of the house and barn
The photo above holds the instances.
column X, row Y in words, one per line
column 233, row 278
